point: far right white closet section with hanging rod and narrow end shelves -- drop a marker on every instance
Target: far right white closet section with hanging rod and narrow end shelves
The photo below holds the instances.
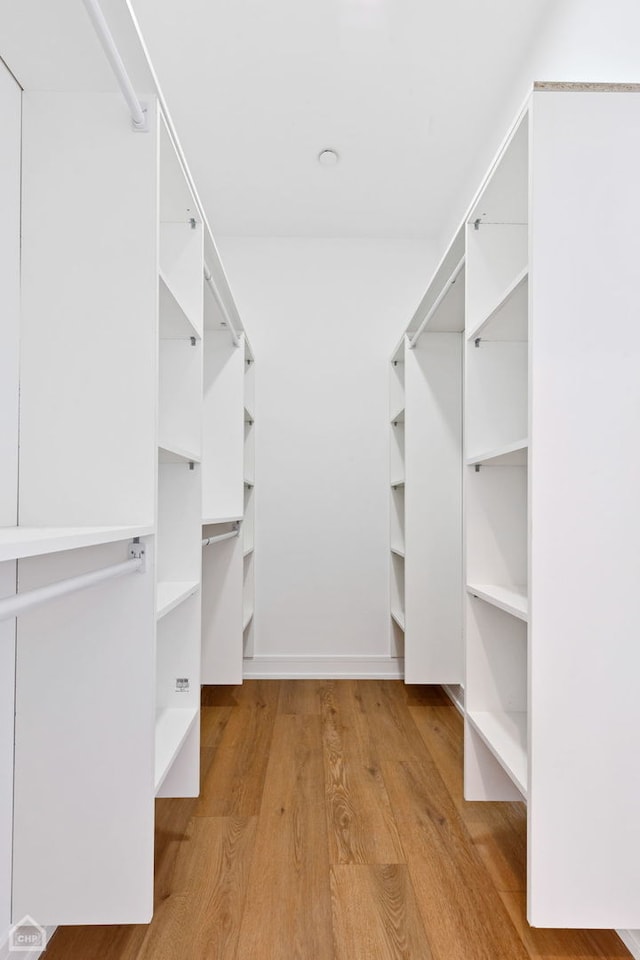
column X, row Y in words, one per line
column 426, row 507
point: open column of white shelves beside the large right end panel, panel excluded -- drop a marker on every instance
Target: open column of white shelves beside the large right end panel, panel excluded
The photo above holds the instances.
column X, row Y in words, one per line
column 497, row 423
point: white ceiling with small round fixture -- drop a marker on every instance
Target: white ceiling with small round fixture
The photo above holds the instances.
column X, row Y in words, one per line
column 402, row 89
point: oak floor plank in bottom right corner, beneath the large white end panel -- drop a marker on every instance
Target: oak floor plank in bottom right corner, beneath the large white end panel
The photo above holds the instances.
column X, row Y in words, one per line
column 563, row 944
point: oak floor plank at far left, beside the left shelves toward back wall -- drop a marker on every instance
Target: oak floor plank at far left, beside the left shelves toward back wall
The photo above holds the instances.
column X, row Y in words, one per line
column 234, row 781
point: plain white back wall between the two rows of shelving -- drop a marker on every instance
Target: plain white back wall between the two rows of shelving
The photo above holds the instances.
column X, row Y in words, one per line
column 323, row 317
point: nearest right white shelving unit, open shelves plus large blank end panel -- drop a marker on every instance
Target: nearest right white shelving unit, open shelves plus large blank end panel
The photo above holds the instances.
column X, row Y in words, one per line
column 551, row 400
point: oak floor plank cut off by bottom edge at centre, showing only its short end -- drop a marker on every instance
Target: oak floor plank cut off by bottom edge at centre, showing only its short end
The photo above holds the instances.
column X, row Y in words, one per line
column 375, row 914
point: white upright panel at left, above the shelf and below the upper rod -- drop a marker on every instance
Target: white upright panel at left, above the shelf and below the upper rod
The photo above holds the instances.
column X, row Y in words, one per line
column 90, row 292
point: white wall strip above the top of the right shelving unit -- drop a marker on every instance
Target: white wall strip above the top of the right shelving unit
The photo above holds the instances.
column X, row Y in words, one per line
column 582, row 40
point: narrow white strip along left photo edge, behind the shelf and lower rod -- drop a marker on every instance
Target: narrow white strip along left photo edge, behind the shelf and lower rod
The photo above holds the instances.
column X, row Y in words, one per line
column 9, row 340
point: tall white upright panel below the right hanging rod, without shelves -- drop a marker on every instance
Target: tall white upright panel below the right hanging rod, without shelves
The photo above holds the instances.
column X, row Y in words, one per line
column 433, row 437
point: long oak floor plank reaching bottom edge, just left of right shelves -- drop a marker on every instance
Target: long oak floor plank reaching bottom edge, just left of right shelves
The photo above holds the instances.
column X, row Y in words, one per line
column 462, row 912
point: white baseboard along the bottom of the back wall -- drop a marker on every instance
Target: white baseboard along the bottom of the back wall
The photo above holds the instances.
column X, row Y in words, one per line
column 323, row 668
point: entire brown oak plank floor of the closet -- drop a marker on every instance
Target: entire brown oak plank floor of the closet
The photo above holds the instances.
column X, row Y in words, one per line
column 331, row 826
